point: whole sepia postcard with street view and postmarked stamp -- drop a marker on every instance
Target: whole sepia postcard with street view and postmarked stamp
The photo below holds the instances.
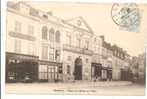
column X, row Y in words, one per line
column 67, row 48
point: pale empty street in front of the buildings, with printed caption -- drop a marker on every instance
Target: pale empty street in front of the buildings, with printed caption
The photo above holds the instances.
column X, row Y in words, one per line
column 92, row 88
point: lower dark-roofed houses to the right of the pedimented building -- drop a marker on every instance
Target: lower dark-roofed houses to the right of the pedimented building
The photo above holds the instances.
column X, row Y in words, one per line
column 109, row 62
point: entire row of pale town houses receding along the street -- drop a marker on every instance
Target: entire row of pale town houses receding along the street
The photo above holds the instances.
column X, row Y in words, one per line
column 48, row 48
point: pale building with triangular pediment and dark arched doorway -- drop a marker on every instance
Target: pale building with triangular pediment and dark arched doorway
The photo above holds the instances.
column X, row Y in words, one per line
column 77, row 50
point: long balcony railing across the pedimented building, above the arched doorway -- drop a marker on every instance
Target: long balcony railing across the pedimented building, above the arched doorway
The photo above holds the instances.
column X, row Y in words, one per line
column 77, row 49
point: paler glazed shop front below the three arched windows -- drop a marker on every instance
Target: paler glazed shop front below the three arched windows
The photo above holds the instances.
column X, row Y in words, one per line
column 50, row 71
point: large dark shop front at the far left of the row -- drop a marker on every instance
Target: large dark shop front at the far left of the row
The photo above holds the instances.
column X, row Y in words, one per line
column 20, row 67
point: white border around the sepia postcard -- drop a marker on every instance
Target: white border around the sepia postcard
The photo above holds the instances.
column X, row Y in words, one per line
column 3, row 31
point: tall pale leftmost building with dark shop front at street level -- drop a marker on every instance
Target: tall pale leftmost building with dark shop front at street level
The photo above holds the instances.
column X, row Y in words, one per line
column 21, row 43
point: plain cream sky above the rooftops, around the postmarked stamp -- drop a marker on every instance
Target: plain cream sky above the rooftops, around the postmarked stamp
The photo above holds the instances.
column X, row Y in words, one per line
column 98, row 17
